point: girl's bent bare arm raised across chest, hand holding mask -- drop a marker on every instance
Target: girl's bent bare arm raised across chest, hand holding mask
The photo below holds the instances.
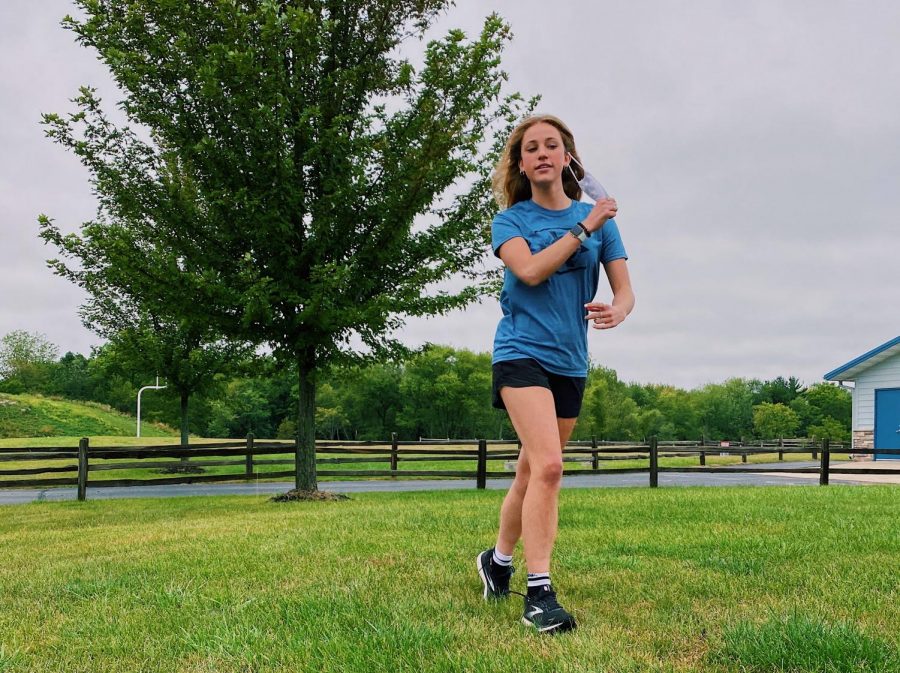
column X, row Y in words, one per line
column 534, row 269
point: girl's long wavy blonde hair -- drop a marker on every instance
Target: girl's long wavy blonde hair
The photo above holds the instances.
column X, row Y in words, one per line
column 510, row 186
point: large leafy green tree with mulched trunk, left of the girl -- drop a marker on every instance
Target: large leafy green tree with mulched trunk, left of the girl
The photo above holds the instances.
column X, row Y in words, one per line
column 323, row 187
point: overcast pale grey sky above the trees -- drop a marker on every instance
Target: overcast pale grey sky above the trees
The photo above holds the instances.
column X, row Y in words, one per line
column 753, row 147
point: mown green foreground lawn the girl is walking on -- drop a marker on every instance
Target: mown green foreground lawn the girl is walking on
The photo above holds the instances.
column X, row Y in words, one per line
column 737, row 580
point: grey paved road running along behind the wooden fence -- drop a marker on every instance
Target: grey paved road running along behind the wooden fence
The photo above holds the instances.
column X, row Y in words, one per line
column 18, row 496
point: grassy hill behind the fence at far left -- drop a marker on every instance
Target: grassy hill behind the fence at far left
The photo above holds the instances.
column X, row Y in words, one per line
column 37, row 416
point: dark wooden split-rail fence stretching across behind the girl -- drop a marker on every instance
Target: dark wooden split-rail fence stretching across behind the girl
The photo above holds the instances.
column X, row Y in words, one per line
column 580, row 457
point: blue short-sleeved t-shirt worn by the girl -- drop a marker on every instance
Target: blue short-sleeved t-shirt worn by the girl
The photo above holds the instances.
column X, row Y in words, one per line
column 546, row 322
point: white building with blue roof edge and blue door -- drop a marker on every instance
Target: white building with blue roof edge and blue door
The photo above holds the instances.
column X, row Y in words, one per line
column 876, row 397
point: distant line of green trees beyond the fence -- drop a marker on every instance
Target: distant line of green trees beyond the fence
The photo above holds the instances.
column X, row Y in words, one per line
column 438, row 392
